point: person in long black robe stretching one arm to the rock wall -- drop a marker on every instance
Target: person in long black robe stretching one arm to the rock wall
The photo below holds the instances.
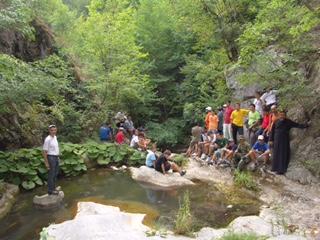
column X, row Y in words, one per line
column 279, row 138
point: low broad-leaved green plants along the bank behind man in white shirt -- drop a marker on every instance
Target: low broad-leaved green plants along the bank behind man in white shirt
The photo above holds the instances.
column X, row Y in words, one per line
column 26, row 167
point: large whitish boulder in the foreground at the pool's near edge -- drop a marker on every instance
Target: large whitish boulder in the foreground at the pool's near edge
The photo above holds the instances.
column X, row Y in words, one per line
column 105, row 222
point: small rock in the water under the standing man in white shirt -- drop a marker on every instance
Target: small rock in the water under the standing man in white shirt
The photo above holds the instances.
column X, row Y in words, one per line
column 48, row 201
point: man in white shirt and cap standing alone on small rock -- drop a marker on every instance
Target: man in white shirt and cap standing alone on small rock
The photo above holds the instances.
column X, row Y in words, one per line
column 51, row 158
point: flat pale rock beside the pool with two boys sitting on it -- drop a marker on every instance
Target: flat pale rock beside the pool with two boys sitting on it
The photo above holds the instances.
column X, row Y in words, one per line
column 149, row 175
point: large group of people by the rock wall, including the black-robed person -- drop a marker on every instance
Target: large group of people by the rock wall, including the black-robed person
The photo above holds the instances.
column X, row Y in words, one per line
column 223, row 141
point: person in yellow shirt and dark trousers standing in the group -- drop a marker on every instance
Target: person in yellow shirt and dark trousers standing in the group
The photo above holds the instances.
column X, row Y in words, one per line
column 237, row 120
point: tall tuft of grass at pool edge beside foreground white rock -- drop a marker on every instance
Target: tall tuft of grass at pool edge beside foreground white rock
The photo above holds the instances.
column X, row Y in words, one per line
column 184, row 224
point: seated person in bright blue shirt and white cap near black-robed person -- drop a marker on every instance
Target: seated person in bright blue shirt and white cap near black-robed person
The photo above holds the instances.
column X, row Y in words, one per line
column 260, row 150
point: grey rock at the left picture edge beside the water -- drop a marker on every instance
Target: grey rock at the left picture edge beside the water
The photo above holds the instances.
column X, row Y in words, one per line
column 8, row 198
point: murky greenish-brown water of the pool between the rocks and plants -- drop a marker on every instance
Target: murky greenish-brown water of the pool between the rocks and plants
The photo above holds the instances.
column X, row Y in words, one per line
column 208, row 205
